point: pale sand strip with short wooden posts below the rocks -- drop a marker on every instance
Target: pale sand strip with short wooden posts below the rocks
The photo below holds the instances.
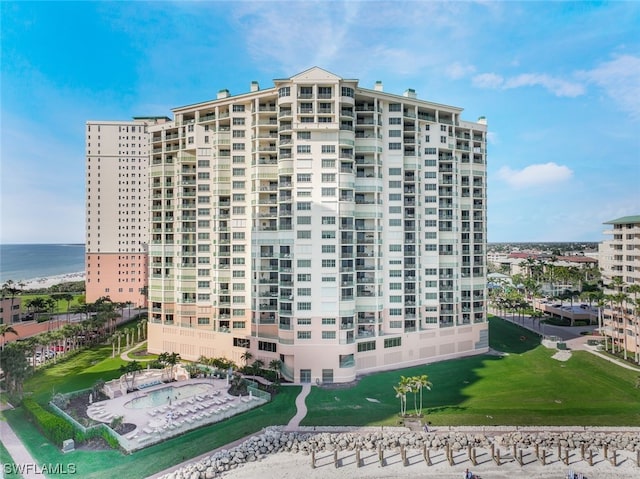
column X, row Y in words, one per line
column 289, row 466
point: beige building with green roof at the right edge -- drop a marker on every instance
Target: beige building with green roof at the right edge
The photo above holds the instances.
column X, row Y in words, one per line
column 620, row 266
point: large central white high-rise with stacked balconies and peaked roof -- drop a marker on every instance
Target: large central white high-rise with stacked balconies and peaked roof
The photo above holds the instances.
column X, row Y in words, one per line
column 337, row 229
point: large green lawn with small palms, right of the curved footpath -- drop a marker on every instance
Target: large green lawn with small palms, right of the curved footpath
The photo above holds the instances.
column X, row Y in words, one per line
column 526, row 387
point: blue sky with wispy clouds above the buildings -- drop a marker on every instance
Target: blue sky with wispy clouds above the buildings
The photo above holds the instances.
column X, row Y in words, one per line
column 559, row 83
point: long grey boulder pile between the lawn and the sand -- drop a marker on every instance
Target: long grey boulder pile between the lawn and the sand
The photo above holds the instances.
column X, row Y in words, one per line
column 275, row 440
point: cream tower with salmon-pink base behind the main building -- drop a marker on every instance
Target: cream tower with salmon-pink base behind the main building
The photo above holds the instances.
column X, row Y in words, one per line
column 117, row 209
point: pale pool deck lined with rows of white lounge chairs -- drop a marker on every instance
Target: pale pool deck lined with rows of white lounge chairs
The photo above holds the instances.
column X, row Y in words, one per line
column 183, row 413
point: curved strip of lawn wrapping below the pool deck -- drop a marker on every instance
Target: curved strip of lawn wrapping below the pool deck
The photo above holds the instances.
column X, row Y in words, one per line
column 108, row 464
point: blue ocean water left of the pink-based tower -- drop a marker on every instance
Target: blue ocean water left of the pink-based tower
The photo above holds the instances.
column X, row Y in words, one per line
column 20, row 262
